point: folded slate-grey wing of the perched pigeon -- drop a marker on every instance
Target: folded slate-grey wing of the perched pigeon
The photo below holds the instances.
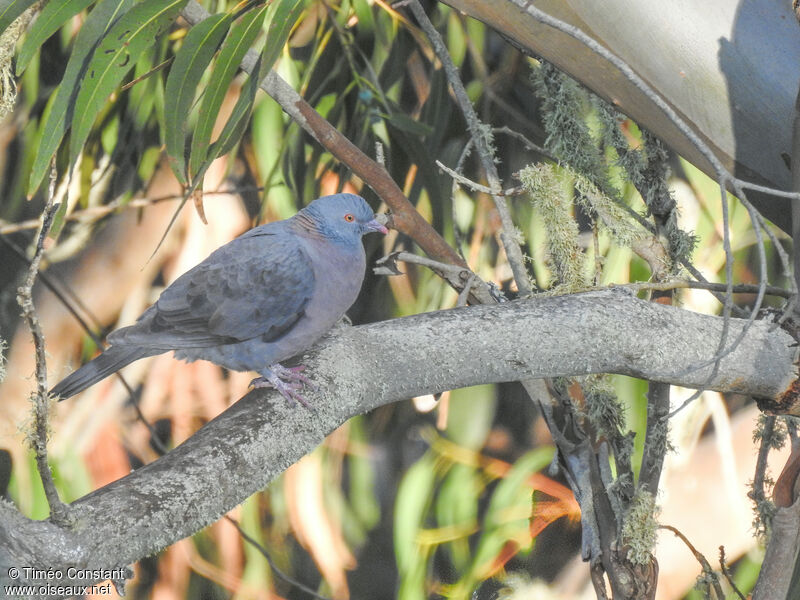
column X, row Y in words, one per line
column 258, row 285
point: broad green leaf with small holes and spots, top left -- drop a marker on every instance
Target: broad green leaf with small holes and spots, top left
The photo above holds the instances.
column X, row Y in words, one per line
column 114, row 58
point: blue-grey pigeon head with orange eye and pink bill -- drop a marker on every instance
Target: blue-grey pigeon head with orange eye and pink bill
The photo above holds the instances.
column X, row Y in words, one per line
column 344, row 217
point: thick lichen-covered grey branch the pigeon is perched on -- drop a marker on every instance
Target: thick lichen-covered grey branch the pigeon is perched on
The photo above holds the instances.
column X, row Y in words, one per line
column 360, row 368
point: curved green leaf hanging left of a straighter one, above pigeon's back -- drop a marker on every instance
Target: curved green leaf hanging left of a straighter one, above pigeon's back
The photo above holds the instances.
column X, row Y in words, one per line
column 190, row 65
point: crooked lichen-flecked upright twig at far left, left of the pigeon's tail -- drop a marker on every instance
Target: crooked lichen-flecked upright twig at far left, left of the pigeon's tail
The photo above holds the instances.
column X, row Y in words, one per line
column 41, row 401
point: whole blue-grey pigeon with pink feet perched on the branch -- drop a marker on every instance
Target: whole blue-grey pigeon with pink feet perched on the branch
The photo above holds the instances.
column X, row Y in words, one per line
column 259, row 299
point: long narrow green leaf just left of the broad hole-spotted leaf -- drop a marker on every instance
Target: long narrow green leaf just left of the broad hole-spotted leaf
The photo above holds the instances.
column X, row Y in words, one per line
column 54, row 122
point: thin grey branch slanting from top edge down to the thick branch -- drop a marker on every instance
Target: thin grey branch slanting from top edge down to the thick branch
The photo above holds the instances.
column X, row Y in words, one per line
column 480, row 135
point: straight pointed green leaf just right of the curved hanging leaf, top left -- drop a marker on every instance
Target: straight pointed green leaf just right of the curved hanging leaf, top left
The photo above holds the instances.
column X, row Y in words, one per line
column 241, row 37
